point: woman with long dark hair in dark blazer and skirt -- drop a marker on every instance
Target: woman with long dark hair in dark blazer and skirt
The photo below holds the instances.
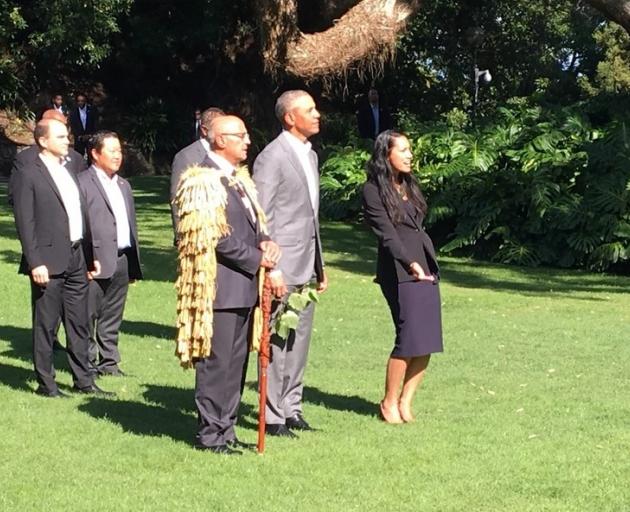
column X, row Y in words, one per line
column 407, row 270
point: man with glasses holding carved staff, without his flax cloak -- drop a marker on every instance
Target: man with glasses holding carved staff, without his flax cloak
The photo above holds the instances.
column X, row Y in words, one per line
column 220, row 377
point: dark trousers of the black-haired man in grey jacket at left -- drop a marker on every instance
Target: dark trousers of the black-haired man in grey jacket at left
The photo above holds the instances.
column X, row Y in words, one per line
column 106, row 306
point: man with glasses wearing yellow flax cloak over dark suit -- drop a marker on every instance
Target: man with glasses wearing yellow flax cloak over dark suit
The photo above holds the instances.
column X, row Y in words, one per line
column 222, row 246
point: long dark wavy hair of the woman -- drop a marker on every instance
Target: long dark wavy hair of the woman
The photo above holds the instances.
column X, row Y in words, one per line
column 381, row 173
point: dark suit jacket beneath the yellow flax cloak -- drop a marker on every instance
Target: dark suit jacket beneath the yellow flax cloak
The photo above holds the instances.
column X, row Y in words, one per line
column 238, row 255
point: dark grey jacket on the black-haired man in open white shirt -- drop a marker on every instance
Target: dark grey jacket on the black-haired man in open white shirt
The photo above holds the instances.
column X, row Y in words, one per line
column 103, row 224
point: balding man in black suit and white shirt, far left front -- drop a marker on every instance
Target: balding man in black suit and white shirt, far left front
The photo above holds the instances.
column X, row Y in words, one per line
column 56, row 252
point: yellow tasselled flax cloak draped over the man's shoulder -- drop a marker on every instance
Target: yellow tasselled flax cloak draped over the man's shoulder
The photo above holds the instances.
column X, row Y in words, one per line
column 201, row 199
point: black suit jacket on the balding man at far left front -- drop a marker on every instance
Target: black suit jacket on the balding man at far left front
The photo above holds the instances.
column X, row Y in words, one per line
column 42, row 222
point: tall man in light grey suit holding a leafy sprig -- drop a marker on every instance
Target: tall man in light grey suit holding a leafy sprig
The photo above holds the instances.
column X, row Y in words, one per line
column 287, row 179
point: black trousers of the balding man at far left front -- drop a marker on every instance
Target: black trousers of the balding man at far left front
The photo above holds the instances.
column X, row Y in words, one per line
column 64, row 296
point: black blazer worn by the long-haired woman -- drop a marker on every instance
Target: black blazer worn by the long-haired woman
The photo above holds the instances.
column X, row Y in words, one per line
column 398, row 245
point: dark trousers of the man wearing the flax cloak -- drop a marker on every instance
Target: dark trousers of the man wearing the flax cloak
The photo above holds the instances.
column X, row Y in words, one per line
column 220, row 377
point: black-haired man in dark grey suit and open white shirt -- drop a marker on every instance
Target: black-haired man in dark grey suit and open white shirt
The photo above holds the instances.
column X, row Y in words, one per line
column 112, row 217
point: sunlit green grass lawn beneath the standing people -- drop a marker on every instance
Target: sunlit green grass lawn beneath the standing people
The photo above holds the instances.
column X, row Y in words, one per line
column 528, row 408
